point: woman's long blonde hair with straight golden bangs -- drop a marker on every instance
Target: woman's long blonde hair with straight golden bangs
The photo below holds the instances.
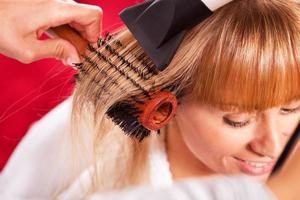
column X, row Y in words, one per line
column 247, row 55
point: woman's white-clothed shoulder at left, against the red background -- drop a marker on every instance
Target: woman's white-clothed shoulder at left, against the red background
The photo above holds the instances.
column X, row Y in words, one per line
column 36, row 167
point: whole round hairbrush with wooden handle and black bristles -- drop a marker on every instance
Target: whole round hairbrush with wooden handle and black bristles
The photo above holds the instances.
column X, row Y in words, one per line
column 139, row 115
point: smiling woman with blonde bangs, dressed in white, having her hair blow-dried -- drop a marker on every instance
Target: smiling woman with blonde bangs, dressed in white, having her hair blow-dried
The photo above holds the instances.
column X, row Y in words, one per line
column 239, row 71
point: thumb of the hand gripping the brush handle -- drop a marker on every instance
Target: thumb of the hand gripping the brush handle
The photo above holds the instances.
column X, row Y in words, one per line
column 56, row 48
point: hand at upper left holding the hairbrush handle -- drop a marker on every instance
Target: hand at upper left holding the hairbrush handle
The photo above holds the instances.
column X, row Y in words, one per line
column 23, row 23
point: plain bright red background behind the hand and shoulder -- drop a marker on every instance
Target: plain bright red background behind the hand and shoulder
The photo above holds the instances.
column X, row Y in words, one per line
column 29, row 91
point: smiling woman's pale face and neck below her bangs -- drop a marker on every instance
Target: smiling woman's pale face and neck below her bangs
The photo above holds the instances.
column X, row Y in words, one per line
column 204, row 140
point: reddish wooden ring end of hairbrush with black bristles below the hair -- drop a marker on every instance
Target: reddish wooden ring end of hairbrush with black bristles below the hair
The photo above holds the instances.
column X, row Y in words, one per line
column 137, row 118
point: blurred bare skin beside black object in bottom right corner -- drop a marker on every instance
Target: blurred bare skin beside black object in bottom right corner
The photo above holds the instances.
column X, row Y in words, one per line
column 285, row 184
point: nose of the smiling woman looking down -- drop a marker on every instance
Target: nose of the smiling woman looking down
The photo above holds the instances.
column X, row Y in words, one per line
column 267, row 141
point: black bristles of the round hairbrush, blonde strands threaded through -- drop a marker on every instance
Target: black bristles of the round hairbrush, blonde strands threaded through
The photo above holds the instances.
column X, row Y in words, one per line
column 124, row 114
